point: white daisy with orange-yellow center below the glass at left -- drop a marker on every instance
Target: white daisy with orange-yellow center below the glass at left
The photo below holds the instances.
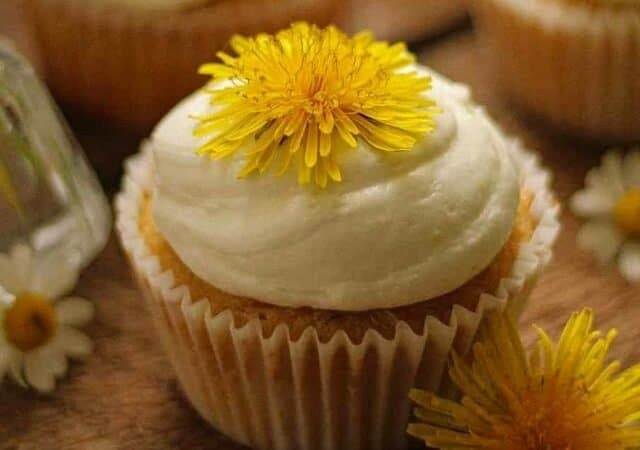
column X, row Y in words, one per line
column 38, row 333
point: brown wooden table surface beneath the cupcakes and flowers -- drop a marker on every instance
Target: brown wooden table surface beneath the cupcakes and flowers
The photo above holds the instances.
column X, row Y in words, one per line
column 125, row 396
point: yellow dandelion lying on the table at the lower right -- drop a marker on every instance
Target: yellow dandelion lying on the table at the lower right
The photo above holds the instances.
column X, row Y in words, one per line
column 564, row 396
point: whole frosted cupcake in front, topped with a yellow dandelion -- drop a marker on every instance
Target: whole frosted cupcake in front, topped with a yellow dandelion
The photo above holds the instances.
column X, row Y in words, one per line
column 319, row 228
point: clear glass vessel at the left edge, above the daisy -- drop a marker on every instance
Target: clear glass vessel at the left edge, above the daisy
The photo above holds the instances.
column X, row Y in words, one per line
column 49, row 197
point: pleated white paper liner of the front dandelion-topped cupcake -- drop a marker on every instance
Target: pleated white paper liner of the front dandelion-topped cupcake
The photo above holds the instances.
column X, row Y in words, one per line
column 274, row 392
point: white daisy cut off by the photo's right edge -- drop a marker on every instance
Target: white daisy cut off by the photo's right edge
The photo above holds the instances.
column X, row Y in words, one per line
column 611, row 203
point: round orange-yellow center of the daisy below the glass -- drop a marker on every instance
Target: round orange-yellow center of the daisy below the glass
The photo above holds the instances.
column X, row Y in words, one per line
column 30, row 322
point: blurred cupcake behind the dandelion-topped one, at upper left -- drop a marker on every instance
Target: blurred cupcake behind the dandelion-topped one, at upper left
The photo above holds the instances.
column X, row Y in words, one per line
column 131, row 61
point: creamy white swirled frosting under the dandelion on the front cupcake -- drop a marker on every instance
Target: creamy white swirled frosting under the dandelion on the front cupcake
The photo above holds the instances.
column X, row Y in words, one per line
column 401, row 228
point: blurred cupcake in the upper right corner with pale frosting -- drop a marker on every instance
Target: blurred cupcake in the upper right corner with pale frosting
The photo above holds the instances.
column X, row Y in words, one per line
column 572, row 62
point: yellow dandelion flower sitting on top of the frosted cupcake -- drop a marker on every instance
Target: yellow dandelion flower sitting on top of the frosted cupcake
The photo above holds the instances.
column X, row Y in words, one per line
column 305, row 95
